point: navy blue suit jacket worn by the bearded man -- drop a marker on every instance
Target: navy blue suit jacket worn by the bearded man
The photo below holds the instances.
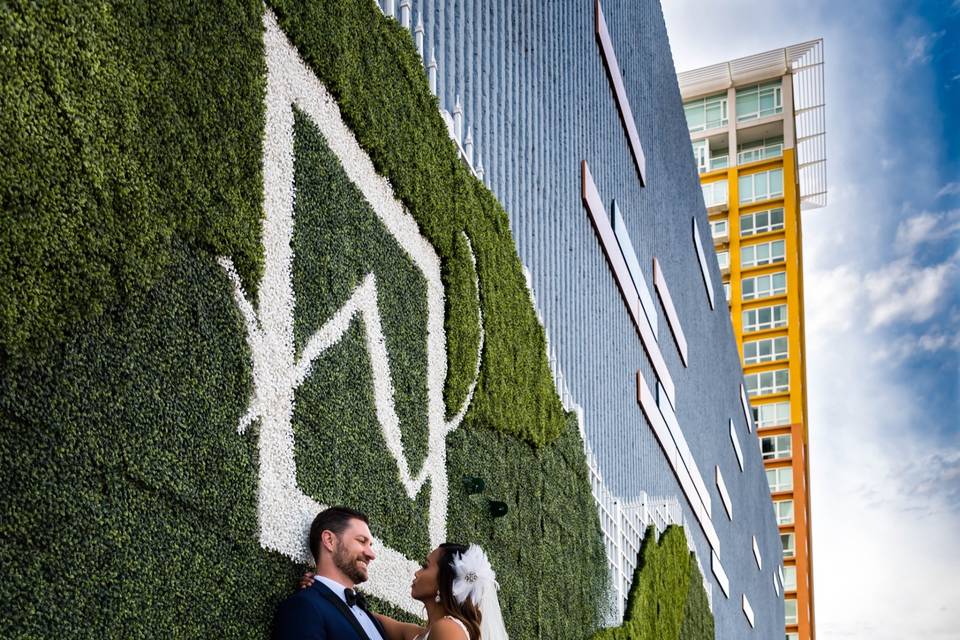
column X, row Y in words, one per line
column 317, row 613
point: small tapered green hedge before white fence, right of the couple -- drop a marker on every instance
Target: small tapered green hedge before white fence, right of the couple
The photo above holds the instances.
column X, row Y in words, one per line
column 667, row 600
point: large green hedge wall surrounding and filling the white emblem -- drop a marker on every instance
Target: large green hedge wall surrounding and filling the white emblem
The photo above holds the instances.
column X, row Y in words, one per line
column 134, row 133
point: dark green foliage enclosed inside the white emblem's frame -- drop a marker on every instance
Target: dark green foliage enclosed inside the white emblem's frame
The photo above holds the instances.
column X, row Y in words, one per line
column 335, row 420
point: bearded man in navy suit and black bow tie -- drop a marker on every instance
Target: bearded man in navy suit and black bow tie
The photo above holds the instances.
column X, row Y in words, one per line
column 330, row 609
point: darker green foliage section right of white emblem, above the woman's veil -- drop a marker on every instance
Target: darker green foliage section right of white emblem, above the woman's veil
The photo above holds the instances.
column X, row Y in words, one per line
column 550, row 535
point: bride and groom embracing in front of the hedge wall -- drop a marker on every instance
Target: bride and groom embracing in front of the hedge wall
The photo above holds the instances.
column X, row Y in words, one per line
column 455, row 583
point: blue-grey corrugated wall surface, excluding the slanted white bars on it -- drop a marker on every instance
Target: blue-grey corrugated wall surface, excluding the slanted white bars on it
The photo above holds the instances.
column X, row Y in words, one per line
column 534, row 90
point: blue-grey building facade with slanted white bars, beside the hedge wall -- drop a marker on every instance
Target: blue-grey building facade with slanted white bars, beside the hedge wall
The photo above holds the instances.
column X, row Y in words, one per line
column 530, row 109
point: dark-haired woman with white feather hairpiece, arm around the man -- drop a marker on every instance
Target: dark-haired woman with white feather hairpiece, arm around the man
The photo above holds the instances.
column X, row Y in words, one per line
column 458, row 588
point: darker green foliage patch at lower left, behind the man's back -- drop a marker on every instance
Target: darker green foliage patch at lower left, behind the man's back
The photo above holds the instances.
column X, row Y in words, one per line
column 129, row 503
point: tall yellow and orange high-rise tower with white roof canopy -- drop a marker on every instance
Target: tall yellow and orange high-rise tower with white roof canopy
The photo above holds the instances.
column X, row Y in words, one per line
column 758, row 132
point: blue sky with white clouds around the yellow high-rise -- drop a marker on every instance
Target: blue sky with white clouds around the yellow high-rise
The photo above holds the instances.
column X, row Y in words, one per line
column 882, row 287
